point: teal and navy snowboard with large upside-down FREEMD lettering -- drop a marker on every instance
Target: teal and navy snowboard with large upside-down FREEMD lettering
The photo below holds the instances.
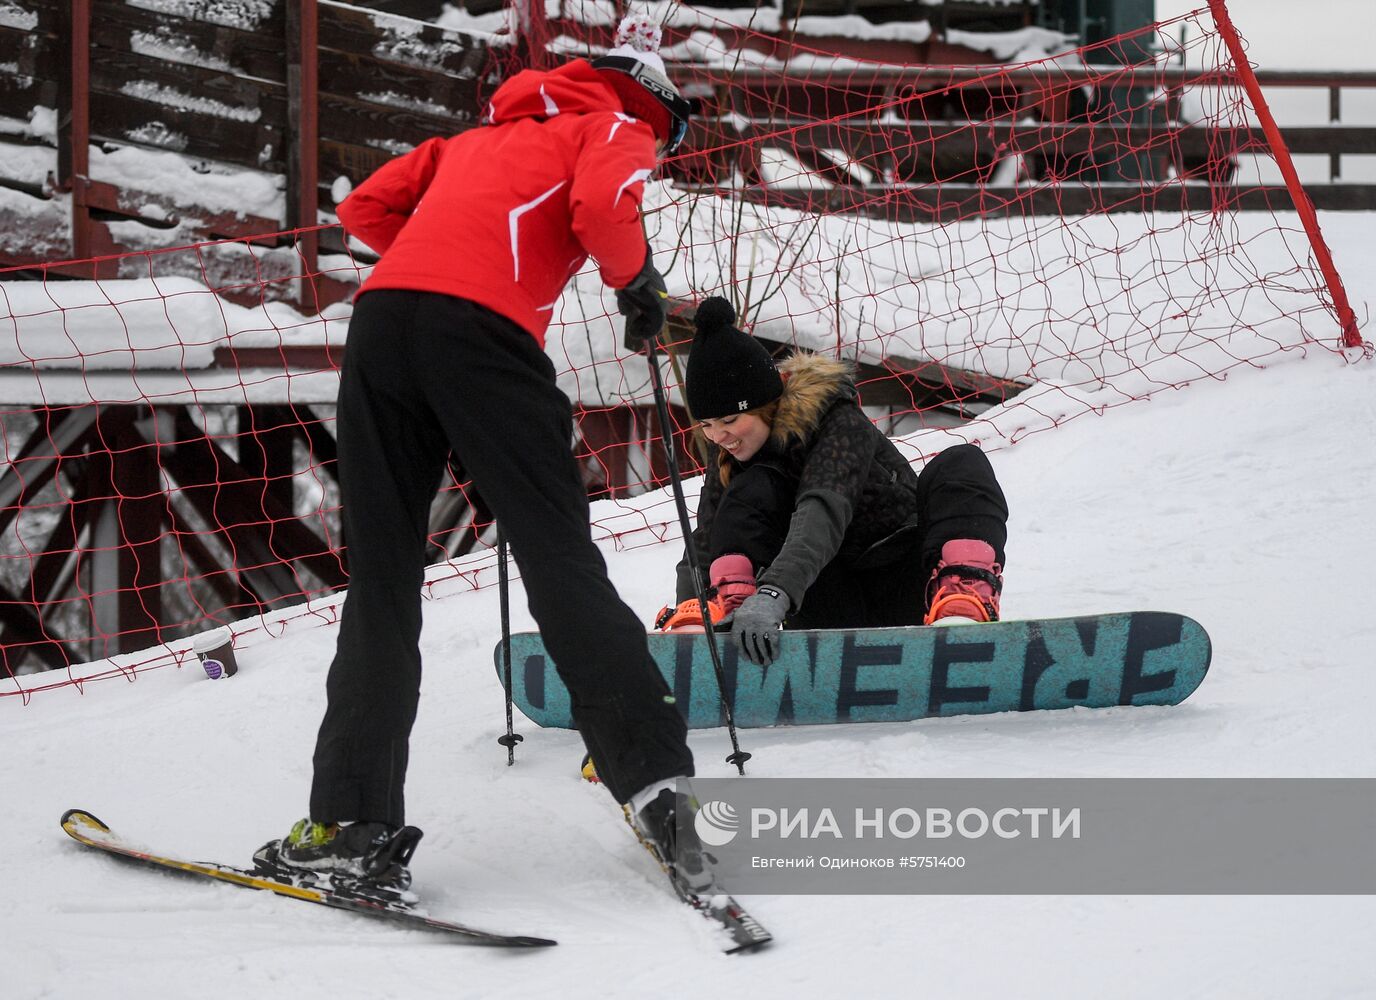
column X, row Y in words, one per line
column 903, row 675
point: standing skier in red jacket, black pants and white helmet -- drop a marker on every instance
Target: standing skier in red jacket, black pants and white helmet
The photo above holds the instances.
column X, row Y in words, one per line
column 478, row 237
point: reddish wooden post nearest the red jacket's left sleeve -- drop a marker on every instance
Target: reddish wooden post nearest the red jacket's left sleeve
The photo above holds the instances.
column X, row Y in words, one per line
column 303, row 178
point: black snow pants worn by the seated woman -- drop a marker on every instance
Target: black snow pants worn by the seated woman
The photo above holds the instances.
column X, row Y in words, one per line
column 957, row 497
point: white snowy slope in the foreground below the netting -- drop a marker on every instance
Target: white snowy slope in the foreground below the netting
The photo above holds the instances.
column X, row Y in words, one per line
column 1245, row 504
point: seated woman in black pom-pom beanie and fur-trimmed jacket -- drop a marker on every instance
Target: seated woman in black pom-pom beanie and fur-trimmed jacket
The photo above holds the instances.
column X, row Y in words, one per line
column 811, row 518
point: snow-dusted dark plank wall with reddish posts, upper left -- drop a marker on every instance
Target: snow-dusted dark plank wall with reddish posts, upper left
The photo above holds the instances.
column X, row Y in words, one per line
column 313, row 91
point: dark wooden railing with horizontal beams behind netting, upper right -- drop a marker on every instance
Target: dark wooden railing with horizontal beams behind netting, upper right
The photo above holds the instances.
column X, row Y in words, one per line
column 927, row 142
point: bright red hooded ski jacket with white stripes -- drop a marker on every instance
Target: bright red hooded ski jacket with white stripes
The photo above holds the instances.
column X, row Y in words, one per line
column 504, row 215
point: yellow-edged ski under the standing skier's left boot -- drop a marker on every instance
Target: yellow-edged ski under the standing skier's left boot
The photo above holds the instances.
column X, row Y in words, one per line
column 396, row 907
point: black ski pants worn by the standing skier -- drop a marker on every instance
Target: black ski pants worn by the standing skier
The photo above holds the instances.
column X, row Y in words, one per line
column 426, row 373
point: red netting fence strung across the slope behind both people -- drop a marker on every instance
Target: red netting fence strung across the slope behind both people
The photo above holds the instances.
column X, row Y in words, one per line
column 998, row 248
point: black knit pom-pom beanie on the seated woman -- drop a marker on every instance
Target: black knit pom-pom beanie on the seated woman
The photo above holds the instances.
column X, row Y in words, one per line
column 729, row 371
